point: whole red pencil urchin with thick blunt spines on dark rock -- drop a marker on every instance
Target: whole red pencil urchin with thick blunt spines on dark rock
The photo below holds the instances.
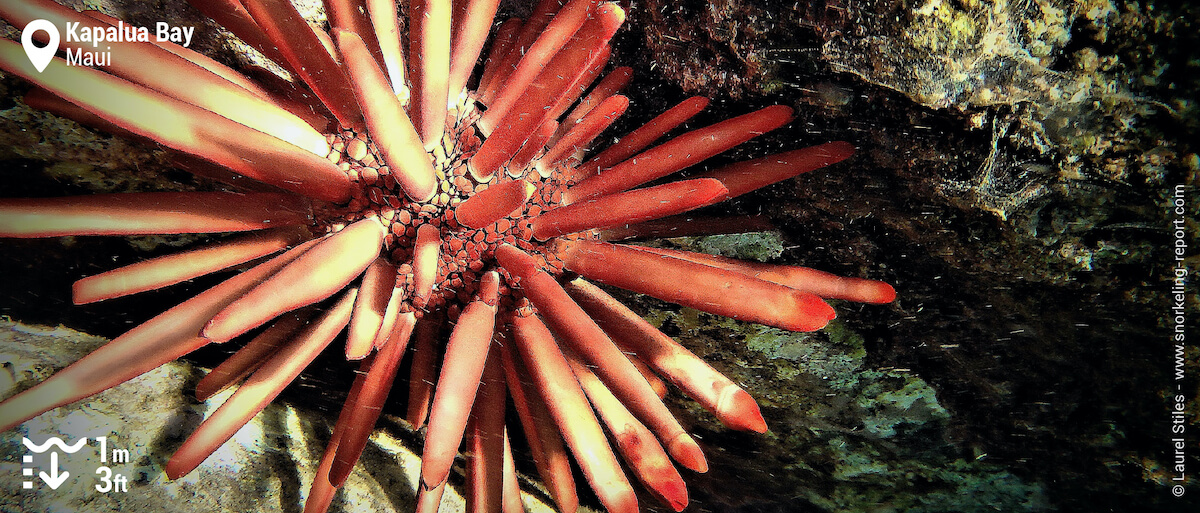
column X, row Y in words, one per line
column 385, row 203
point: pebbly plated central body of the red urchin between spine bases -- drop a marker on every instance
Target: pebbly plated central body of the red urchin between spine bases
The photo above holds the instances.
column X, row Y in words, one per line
column 466, row 248
